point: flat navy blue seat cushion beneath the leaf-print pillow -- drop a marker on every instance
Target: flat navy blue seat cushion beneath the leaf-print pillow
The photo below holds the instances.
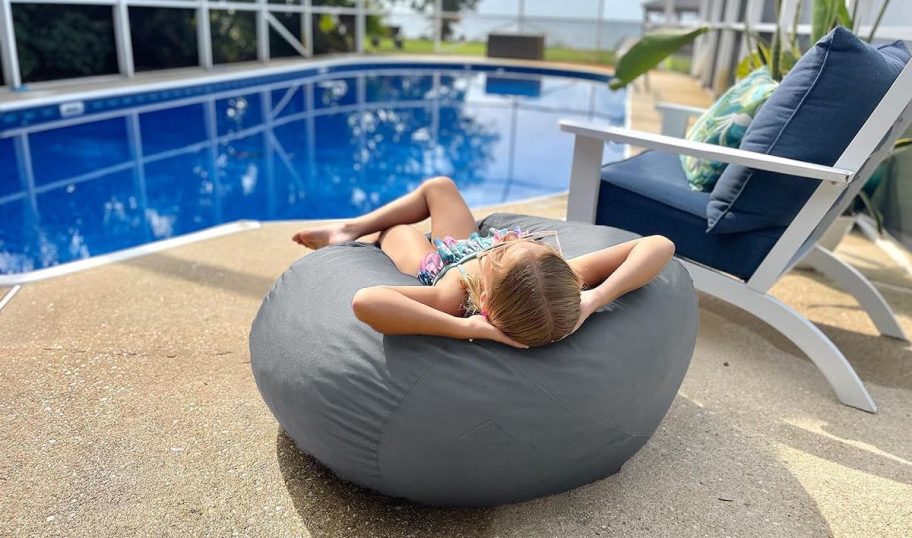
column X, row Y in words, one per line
column 648, row 194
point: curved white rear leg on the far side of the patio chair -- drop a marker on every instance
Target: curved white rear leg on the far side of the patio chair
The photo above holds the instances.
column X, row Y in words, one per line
column 852, row 281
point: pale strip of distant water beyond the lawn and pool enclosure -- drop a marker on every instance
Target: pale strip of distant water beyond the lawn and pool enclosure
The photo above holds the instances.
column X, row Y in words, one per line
column 574, row 33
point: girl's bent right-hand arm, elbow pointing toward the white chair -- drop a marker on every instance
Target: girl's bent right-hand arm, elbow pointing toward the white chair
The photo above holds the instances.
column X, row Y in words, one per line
column 613, row 271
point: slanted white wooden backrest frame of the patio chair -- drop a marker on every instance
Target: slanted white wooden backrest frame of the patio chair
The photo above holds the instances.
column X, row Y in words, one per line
column 873, row 142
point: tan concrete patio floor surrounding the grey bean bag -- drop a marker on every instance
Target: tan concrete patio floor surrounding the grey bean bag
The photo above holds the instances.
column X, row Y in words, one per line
column 129, row 408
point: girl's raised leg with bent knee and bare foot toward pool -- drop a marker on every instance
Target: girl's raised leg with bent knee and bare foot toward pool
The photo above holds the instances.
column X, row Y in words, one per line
column 437, row 198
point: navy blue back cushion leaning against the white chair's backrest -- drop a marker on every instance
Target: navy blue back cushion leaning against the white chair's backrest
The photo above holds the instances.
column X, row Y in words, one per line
column 813, row 115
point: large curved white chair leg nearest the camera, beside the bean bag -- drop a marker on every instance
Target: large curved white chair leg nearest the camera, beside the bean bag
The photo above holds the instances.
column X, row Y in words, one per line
column 821, row 350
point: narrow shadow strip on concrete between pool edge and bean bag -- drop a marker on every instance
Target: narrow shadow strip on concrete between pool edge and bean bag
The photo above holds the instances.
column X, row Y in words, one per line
column 213, row 276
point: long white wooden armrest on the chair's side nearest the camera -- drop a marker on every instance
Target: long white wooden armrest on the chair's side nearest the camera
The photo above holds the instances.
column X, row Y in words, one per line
column 750, row 159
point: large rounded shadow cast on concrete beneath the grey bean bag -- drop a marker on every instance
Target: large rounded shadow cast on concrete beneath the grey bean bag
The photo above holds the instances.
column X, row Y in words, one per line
column 699, row 471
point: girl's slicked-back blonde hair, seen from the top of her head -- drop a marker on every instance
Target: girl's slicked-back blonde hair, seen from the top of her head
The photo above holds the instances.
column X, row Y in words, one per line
column 534, row 298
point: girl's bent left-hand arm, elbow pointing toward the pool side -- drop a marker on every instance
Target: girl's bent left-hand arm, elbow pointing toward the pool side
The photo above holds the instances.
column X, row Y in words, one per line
column 414, row 310
